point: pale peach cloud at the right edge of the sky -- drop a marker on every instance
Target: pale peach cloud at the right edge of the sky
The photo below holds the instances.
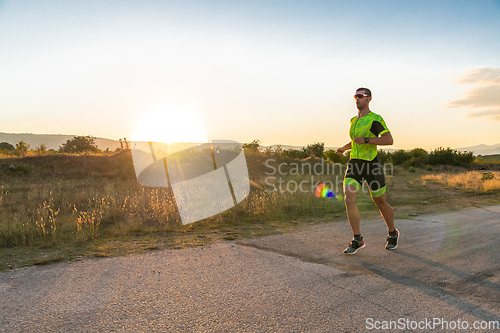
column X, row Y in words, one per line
column 485, row 94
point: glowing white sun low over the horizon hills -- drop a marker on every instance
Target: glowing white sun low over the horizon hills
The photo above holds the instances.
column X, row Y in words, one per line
column 171, row 124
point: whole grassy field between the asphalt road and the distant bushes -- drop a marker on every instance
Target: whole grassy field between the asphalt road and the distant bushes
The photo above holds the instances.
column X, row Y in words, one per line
column 64, row 207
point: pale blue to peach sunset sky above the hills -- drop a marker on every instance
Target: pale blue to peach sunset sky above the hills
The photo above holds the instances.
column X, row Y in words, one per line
column 282, row 72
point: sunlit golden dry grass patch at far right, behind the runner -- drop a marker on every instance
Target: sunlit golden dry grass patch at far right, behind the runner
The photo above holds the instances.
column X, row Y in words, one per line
column 473, row 181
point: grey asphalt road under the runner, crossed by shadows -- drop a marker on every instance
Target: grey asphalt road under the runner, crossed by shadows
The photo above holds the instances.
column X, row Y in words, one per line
column 446, row 271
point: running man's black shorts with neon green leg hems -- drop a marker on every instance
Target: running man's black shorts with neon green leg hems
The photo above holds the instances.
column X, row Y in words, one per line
column 358, row 171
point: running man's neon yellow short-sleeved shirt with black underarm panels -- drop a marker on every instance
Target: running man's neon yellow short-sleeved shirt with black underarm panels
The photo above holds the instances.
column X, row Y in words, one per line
column 370, row 125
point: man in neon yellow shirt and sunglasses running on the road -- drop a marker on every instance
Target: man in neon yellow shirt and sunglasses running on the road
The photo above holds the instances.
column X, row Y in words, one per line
column 368, row 130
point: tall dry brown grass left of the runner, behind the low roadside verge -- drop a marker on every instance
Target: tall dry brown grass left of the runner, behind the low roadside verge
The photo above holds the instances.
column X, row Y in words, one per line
column 56, row 199
